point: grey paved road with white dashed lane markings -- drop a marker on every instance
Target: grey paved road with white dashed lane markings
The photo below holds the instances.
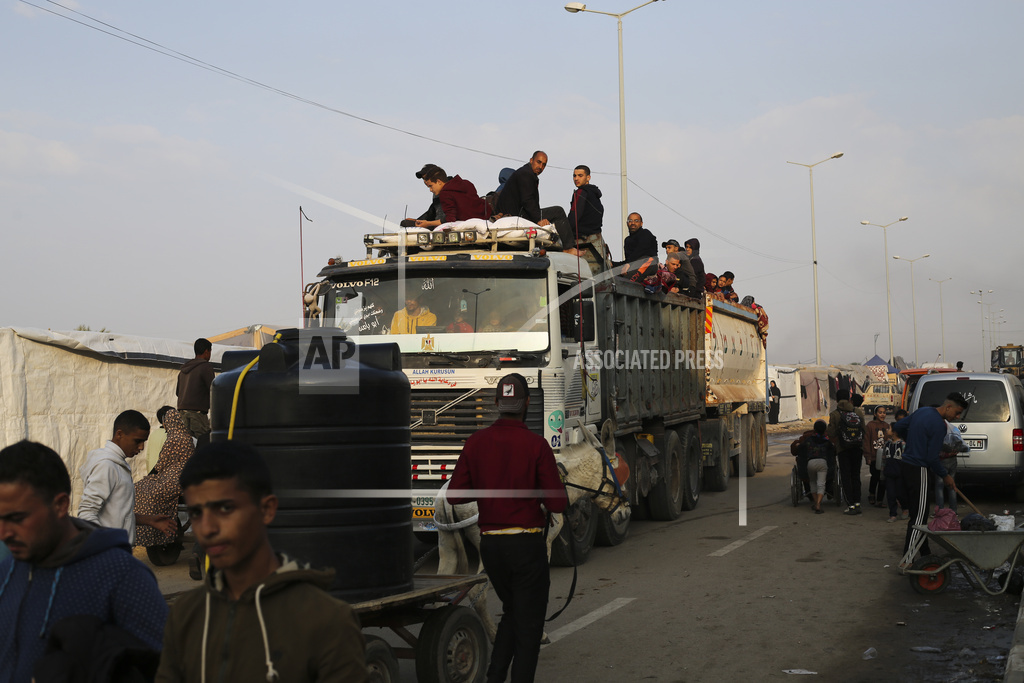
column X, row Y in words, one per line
column 707, row 600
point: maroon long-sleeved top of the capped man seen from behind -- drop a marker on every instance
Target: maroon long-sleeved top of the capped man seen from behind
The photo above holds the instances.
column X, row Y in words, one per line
column 508, row 456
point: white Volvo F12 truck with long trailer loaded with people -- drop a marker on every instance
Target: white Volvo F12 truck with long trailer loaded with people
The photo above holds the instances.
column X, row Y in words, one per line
column 673, row 388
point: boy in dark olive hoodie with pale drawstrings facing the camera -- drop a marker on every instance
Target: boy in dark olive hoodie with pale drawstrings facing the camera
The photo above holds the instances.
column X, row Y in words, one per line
column 262, row 616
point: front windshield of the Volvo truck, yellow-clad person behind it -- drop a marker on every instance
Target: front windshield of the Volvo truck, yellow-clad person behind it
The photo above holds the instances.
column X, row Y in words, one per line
column 447, row 313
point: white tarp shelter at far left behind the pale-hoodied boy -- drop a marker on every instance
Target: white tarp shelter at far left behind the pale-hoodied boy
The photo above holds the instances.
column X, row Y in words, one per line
column 64, row 390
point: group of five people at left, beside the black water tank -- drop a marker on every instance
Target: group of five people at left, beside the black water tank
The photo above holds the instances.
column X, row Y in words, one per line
column 75, row 605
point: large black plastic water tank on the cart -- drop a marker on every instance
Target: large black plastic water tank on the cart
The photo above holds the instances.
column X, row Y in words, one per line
column 332, row 420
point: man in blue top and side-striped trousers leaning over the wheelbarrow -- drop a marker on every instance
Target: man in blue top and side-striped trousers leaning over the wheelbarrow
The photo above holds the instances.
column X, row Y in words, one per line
column 924, row 433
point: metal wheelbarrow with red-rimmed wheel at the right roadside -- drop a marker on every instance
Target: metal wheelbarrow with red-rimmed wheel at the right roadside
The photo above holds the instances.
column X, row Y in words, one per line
column 977, row 556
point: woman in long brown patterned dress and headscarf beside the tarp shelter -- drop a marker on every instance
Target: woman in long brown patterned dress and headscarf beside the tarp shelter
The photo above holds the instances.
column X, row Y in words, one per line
column 157, row 493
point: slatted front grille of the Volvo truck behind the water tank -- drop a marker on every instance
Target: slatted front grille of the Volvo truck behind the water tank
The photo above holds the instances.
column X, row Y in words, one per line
column 438, row 441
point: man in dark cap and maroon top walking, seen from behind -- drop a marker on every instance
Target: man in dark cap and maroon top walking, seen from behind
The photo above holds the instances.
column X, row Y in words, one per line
column 496, row 466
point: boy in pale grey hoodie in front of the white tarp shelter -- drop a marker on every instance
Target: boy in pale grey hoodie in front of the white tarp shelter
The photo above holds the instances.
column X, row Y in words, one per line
column 108, row 491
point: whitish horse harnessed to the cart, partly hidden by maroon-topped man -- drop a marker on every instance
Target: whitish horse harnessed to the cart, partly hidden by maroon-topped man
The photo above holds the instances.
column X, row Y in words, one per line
column 587, row 474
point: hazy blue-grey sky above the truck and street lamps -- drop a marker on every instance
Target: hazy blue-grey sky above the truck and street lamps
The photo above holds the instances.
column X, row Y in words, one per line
column 157, row 196
